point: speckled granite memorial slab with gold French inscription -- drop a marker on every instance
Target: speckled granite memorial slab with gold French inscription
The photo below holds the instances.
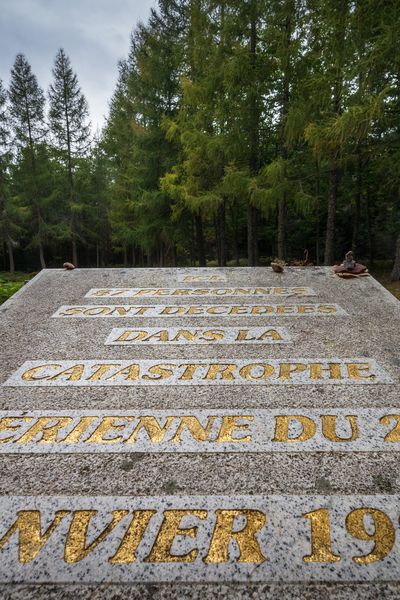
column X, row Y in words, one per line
column 200, row 433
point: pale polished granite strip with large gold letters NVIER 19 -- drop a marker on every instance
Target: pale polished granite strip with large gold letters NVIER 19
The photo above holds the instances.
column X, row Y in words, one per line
column 210, row 538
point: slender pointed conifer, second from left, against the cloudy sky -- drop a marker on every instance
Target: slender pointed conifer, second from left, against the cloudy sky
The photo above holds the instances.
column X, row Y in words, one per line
column 69, row 124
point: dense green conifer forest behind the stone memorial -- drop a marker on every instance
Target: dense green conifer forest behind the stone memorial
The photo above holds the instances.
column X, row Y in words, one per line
column 239, row 131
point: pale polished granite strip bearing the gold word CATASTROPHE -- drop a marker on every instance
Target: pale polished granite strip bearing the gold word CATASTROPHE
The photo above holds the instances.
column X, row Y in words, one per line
column 335, row 371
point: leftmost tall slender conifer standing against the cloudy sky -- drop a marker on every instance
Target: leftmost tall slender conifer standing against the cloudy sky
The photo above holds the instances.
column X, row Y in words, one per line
column 27, row 103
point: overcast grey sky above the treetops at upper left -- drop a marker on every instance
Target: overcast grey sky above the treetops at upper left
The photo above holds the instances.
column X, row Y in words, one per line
column 94, row 33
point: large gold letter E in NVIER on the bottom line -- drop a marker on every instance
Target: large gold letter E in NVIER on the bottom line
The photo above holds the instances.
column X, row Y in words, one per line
column 161, row 551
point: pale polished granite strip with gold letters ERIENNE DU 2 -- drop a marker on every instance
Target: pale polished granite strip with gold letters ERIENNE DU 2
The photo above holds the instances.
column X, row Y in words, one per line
column 201, row 431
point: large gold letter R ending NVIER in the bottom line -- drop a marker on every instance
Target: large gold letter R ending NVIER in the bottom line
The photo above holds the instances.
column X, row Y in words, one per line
column 245, row 538
